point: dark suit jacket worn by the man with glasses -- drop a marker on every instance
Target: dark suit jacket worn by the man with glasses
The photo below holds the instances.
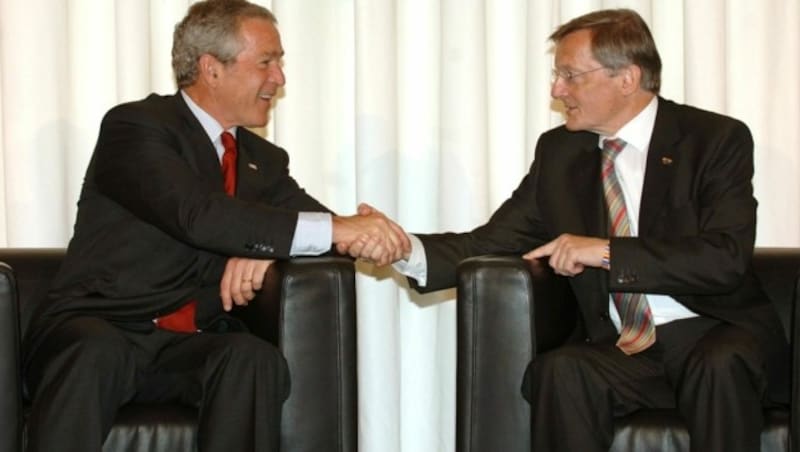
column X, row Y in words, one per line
column 696, row 227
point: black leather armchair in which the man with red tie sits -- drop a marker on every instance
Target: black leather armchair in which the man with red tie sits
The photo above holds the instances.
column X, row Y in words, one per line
column 307, row 307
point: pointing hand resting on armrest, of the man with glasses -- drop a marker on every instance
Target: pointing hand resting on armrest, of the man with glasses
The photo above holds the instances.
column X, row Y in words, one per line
column 571, row 254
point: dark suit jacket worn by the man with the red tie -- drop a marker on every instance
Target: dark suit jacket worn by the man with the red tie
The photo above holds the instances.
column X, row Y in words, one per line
column 154, row 226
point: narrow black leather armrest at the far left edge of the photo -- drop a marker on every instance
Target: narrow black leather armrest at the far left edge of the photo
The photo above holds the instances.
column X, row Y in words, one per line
column 10, row 378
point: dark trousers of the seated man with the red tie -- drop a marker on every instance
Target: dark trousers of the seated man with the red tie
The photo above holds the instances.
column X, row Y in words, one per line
column 86, row 368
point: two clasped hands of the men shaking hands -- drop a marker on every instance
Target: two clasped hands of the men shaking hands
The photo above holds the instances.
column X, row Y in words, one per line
column 371, row 236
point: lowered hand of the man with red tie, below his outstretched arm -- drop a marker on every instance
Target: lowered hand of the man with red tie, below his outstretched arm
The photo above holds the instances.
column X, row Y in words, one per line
column 241, row 279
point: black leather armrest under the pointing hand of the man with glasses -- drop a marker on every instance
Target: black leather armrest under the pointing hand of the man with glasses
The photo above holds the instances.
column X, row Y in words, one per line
column 508, row 310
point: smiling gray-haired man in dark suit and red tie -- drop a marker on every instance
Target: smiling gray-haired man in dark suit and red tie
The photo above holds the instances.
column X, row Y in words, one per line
column 165, row 245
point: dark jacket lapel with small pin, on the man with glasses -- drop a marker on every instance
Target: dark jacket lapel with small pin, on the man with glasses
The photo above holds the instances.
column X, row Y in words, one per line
column 662, row 160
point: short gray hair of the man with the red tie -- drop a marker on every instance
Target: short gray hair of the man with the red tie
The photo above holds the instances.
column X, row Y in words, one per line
column 212, row 27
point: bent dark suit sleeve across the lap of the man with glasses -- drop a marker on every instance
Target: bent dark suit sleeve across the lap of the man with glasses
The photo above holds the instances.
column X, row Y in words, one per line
column 704, row 240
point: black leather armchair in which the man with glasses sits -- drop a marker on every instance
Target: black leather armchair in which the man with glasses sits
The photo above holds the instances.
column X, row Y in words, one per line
column 510, row 310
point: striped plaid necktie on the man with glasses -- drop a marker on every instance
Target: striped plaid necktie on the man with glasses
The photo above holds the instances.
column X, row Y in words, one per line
column 638, row 330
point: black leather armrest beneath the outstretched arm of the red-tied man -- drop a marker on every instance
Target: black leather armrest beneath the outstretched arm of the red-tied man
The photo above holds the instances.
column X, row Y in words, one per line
column 308, row 308
